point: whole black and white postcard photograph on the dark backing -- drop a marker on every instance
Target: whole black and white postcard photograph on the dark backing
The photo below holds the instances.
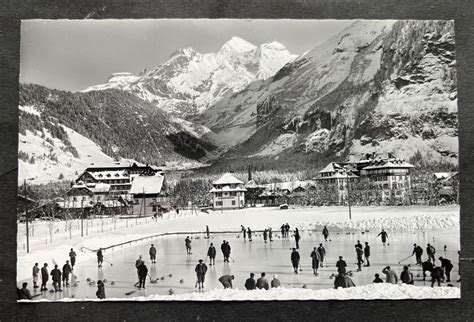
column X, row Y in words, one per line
column 237, row 159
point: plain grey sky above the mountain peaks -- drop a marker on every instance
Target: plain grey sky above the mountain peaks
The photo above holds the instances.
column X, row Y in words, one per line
column 75, row 54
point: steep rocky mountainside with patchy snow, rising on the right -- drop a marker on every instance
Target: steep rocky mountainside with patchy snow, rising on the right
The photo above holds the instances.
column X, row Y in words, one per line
column 378, row 86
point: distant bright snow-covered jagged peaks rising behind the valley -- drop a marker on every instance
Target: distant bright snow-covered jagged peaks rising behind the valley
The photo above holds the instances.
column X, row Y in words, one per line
column 190, row 82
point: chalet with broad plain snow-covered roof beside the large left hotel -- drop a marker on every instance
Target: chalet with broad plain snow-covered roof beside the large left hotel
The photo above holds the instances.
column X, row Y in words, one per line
column 149, row 196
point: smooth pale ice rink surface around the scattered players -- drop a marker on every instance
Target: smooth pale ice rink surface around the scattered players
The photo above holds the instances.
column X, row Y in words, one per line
column 256, row 256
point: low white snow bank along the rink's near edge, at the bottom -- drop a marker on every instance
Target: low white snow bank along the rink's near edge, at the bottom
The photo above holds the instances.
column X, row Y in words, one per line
column 382, row 291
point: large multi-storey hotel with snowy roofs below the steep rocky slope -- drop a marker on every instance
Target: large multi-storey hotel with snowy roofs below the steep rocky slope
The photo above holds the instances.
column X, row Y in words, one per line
column 383, row 179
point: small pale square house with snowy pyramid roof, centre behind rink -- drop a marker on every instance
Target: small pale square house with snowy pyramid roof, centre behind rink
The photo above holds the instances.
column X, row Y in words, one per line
column 228, row 193
